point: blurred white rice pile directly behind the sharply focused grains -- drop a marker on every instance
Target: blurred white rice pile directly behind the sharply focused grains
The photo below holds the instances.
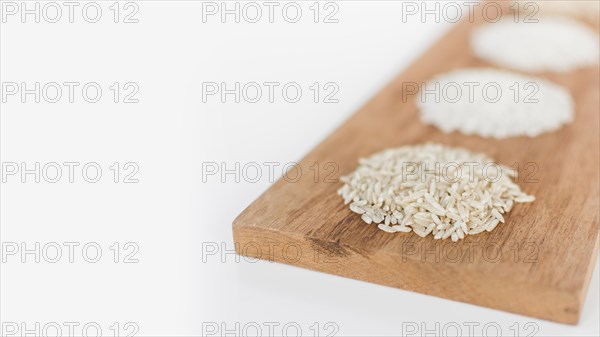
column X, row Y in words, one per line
column 494, row 103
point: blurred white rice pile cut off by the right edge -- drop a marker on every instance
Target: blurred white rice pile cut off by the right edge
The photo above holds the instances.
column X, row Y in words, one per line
column 555, row 43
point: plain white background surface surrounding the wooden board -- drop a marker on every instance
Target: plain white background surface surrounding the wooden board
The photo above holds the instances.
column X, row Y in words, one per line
column 170, row 214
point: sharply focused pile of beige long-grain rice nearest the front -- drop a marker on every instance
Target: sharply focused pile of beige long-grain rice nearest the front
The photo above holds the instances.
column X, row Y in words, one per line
column 401, row 190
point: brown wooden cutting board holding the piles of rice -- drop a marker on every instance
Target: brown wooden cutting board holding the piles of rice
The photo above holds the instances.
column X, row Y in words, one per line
column 538, row 264
